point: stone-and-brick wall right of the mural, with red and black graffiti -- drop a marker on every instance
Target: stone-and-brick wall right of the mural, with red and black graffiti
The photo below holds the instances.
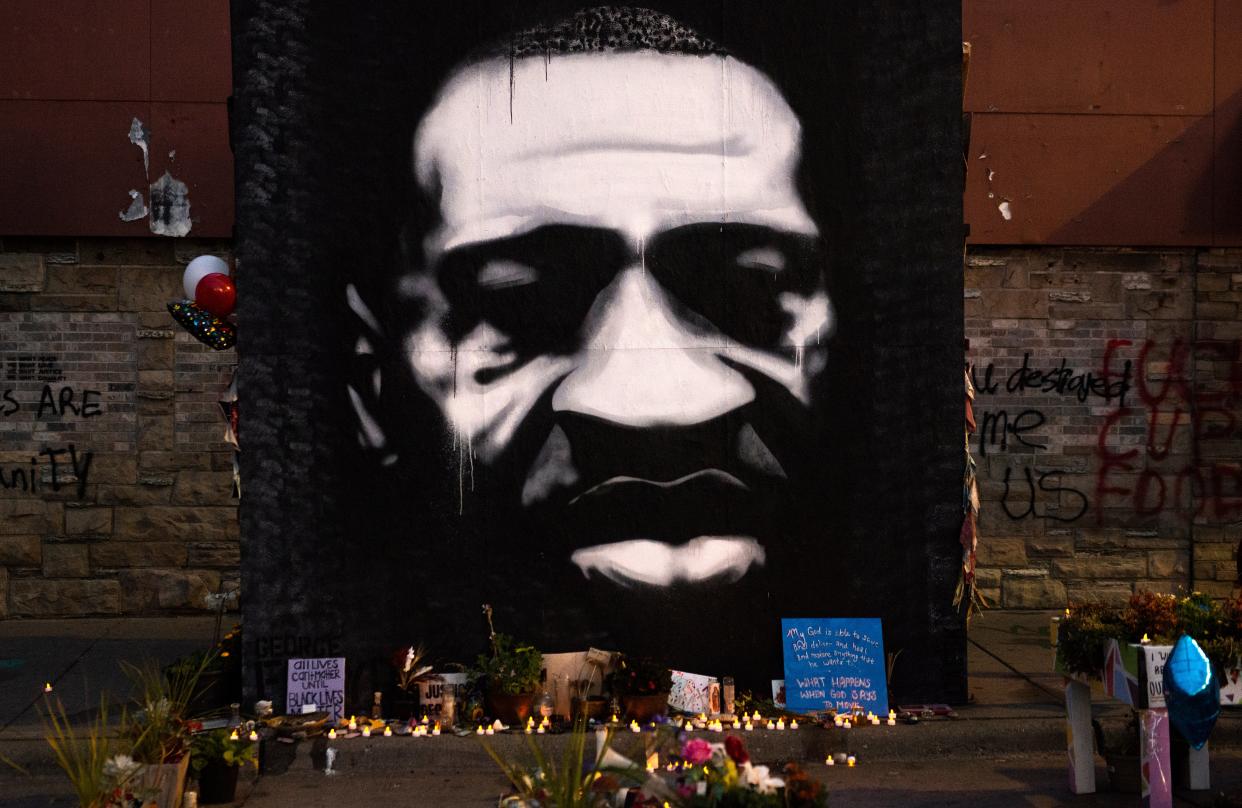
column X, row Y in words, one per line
column 1110, row 410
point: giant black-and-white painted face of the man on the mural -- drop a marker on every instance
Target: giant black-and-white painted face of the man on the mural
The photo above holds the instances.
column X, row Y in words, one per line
column 623, row 311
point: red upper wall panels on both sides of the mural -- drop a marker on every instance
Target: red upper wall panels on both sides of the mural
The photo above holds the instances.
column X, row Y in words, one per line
column 1092, row 123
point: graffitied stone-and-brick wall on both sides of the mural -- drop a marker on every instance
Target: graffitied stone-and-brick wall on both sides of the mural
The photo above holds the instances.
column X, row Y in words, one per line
column 1085, row 496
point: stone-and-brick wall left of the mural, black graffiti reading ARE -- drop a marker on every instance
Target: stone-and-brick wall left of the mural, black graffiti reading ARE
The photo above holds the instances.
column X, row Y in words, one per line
column 115, row 478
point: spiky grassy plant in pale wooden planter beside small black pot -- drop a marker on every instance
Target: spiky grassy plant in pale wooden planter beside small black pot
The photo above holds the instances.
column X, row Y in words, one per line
column 161, row 728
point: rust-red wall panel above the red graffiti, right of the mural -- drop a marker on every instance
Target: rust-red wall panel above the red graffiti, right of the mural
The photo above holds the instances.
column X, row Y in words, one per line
column 1097, row 123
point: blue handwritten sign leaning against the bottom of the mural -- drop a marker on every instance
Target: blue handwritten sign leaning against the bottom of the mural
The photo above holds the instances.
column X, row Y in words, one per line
column 834, row 663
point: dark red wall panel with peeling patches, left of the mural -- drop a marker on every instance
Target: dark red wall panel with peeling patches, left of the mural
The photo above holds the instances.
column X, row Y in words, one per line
column 73, row 80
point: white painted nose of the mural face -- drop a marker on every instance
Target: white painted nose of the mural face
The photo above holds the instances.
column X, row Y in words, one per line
column 643, row 366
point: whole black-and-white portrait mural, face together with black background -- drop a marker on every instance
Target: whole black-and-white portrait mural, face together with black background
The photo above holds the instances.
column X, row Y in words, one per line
column 632, row 328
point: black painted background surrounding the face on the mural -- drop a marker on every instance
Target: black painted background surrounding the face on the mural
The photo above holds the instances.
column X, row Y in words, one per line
column 345, row 557
